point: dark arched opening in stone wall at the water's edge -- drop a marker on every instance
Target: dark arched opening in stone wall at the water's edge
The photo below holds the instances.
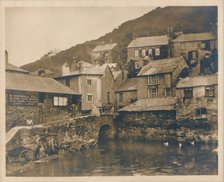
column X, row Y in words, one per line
column 105, row 133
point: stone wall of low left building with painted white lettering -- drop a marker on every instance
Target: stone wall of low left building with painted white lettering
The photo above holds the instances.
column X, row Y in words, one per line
column 38, row 112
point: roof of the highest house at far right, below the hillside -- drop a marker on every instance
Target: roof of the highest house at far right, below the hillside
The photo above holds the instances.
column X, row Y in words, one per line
column 194, row 37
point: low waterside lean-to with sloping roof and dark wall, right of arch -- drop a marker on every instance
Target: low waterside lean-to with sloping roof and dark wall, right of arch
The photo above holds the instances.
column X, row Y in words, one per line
column 151, row 112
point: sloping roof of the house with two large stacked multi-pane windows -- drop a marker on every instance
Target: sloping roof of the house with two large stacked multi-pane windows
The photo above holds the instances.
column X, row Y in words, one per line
column 162, row 66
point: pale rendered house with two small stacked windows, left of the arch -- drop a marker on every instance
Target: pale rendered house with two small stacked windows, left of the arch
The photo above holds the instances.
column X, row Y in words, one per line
column 96, row 85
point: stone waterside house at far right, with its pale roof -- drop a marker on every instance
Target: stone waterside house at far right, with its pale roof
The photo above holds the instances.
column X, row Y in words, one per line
column 198, row 98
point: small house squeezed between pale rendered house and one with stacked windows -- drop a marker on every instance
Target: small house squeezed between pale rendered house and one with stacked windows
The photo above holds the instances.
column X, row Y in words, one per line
column 126, row 93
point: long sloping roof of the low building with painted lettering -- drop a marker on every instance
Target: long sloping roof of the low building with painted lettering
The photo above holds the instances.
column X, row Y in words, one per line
column 24, row 82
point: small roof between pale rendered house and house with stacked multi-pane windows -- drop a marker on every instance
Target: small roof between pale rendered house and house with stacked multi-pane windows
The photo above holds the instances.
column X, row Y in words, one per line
column 128, row 85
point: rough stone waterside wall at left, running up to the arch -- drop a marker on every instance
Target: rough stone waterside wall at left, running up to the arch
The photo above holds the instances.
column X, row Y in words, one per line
column 56, row 137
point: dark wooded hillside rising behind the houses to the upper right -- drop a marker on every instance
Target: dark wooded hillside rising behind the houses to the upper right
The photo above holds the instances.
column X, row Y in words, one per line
column 156, row 22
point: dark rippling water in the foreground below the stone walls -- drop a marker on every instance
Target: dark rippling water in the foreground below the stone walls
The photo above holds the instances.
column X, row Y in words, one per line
column 119, row 158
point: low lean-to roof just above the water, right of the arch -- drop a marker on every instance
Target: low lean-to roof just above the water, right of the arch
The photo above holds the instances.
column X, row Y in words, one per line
column 152, row 104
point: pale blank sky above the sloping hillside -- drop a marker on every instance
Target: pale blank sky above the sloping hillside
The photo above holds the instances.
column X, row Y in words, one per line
column 31, row 32
